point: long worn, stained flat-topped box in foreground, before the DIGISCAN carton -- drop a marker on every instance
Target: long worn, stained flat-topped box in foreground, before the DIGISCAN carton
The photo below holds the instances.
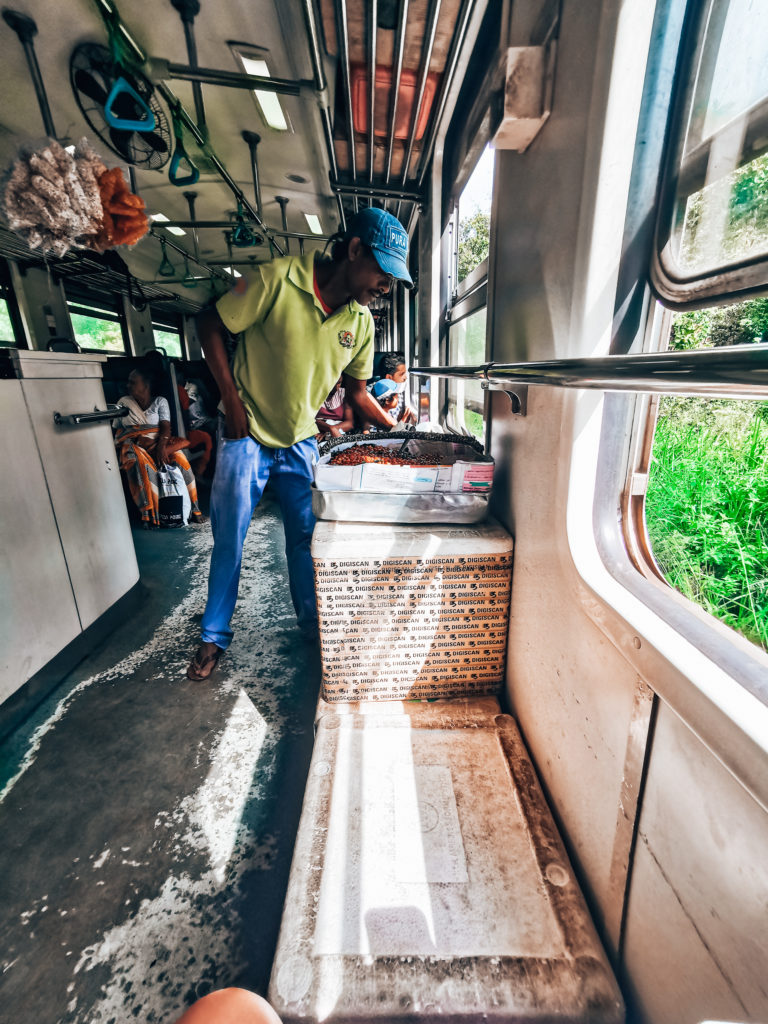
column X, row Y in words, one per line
column 429, row 880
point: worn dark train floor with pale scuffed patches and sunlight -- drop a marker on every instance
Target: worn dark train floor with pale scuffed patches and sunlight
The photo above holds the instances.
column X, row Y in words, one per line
column 148, row 822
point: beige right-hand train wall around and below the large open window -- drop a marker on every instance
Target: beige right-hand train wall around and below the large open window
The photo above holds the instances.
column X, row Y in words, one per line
column 601, row 709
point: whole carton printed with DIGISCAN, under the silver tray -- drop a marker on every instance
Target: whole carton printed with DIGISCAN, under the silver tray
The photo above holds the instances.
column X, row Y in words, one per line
column 412, row 612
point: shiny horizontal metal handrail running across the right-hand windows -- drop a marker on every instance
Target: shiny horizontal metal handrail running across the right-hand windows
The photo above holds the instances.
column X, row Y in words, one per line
column 736, row 372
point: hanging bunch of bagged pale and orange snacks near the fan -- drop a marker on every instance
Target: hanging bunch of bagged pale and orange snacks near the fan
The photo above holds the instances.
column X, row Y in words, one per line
column 59, row 201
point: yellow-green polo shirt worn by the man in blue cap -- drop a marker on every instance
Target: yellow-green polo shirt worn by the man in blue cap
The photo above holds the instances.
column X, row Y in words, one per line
column 291, row 355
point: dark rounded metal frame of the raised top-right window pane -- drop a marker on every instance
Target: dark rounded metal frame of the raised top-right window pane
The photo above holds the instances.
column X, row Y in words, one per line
column 733, row 282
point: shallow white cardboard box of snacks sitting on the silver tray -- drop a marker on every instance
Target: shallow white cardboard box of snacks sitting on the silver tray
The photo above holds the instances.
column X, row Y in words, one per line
column 459, row 468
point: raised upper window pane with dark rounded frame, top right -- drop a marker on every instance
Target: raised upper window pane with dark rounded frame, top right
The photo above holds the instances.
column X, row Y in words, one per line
column 713, row 228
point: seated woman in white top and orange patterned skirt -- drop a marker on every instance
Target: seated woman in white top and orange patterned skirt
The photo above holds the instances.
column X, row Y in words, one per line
column 144, row 443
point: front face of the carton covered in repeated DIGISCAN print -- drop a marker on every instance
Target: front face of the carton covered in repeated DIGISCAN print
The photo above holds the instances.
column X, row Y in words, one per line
column 413, row 627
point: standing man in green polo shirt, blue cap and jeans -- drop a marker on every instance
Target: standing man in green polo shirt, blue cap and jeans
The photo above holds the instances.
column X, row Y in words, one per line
column 304, row 323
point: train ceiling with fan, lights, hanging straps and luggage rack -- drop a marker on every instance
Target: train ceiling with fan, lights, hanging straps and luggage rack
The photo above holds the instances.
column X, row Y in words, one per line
column 344, row 143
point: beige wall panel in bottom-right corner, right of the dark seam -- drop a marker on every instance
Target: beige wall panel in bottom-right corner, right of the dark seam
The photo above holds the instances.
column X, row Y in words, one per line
column 697, row 937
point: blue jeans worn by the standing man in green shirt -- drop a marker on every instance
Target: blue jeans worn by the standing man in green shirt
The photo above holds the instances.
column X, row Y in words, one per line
column 243, row 467
